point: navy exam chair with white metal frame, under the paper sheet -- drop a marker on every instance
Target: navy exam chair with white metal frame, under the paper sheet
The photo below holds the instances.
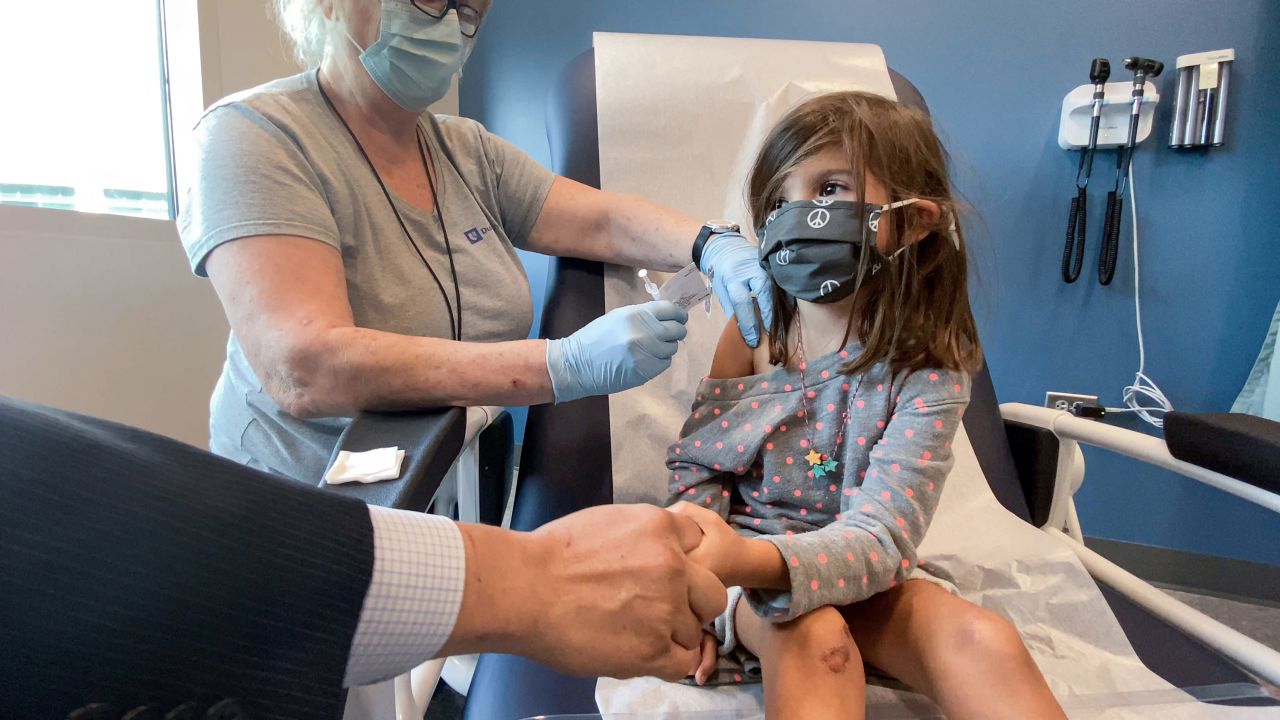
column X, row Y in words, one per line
column 1030, row 457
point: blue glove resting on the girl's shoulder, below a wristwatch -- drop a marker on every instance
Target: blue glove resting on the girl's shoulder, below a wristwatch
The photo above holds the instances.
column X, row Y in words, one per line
column 734, row 265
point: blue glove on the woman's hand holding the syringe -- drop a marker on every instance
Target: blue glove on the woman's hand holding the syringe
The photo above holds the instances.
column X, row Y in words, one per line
column 616, row 352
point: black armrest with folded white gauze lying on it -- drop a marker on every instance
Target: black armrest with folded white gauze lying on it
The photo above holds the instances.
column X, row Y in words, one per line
column 431, row 439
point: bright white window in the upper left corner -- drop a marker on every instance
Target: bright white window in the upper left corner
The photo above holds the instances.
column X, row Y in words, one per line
column 85, row 125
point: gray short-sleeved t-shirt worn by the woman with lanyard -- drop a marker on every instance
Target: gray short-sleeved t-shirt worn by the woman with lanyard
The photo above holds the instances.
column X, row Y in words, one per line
column 277, row 161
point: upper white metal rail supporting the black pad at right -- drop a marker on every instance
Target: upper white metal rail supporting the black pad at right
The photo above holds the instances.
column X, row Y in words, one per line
column 1151, row 450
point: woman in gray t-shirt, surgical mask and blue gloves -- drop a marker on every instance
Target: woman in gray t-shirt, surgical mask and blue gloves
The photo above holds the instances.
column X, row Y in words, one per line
column 365, row 252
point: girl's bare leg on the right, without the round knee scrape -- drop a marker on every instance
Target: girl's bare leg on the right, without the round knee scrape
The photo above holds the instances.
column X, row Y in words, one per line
column 970, row 660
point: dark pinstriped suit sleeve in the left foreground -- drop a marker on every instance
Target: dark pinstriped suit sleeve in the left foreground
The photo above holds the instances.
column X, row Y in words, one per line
column 136, row 569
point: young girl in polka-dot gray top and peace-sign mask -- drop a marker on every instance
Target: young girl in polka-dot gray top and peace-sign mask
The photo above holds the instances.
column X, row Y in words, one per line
column 815, row 463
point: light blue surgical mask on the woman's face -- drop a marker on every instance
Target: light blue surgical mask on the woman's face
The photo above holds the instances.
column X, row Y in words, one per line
column 415, row 57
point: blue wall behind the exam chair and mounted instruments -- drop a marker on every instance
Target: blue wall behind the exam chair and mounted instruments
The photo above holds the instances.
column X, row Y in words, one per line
column 995, row 80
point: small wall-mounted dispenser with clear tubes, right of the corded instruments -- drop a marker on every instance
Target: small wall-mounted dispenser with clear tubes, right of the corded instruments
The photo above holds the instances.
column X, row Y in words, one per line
column 1200, row 107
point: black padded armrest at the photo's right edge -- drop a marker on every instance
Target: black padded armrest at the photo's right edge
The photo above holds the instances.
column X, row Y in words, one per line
column 1242, row 446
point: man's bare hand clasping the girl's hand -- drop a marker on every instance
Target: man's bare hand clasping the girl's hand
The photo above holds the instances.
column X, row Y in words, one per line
column 609, row 591
